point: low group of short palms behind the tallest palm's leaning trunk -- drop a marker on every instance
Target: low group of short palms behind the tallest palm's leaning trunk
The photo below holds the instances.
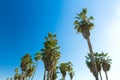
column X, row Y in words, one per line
column 103, row 62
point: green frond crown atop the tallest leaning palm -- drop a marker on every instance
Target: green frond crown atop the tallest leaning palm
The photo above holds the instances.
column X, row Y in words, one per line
column 83, row 23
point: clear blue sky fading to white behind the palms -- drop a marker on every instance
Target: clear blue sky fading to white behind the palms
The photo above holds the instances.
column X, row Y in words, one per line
column 25, row 23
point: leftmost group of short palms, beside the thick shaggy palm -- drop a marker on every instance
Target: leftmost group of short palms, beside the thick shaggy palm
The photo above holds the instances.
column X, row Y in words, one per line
column 28, row 67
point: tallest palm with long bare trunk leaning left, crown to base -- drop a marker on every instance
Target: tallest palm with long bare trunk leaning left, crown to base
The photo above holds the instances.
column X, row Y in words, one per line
column 83, row 25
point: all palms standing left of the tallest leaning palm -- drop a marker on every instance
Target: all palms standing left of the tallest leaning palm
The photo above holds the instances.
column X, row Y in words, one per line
column 49, row 55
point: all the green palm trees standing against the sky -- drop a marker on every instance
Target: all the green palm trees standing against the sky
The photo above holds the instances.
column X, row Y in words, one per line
column 50, row 55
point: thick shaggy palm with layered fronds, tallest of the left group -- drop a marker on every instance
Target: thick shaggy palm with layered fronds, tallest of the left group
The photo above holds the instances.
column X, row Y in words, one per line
column 51, row 55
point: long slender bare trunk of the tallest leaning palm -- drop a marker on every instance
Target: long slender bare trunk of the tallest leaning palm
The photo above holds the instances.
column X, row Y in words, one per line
column 95, row 72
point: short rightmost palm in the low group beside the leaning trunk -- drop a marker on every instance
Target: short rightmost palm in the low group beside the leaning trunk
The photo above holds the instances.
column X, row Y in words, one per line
column 106, row 64
